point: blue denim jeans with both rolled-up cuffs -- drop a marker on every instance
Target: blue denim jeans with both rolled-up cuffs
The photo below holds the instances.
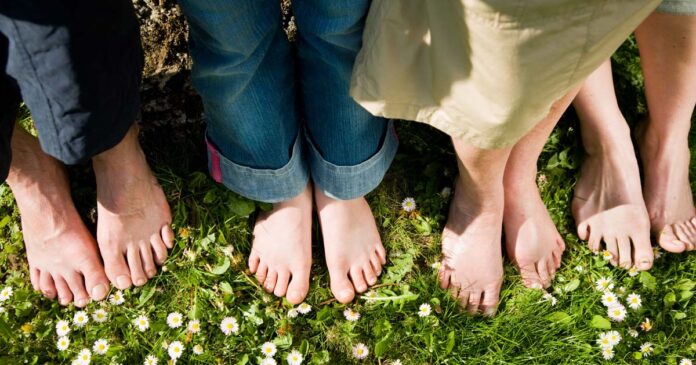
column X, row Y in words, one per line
column 279, row 114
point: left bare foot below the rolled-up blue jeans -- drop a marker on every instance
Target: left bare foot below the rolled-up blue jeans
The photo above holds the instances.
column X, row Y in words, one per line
column 281, row 255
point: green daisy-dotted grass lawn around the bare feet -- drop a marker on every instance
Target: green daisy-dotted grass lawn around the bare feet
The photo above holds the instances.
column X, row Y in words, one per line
column 206, row 278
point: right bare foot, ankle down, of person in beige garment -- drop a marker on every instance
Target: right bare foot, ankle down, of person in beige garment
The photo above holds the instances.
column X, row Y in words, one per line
column 531, row 239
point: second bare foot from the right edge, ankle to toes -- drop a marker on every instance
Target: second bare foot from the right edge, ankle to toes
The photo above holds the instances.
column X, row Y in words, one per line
column 608, row 205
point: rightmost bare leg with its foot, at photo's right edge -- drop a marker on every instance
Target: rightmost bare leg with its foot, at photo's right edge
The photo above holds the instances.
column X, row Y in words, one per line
column 668, row 56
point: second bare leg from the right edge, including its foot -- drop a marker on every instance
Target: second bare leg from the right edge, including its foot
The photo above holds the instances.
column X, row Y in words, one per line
column 608, row 205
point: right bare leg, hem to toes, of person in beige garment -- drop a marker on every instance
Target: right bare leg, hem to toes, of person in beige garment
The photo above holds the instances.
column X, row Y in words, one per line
column 532, row 240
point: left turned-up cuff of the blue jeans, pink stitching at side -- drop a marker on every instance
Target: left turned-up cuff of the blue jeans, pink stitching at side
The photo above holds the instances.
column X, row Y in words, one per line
column 265, row 185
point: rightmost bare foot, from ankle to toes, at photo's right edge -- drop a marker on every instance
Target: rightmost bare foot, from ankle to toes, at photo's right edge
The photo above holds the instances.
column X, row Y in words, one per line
column 667, row 191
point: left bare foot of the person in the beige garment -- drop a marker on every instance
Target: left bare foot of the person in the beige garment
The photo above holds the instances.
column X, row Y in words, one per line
column 472, row 264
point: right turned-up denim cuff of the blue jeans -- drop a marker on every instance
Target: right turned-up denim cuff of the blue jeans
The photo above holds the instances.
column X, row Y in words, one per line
column 350, row 182
